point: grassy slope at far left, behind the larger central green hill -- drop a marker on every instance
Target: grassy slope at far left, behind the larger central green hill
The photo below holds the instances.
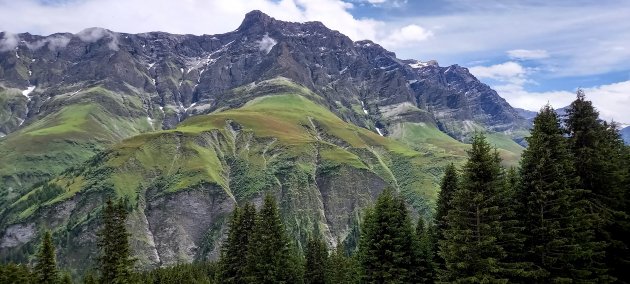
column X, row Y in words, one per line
column 82, row 126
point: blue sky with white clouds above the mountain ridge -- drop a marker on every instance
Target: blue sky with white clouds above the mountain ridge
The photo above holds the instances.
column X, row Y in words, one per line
column 532, row 52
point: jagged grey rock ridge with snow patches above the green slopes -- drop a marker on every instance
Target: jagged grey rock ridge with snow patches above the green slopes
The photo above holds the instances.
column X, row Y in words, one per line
column 190, row 74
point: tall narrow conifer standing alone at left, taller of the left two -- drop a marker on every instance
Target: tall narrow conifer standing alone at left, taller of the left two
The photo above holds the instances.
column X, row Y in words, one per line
column 115, row 261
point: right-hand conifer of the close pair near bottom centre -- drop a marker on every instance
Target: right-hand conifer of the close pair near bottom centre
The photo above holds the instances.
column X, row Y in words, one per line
column 271, row 258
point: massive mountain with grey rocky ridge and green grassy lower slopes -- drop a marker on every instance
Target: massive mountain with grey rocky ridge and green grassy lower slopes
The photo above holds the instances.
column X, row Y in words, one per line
column 185, row 127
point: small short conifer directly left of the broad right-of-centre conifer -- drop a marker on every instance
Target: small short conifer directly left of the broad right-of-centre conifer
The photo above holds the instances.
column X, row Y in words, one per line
column 342, row 268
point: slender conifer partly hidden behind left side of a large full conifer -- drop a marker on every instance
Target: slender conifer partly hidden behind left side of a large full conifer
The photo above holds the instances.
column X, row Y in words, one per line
column 449, row 185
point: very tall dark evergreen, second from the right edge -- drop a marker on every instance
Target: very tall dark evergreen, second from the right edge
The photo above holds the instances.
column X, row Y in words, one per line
column 559, row 238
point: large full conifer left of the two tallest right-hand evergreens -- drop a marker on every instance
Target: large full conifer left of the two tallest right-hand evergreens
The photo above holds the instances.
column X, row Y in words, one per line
column 473, row 244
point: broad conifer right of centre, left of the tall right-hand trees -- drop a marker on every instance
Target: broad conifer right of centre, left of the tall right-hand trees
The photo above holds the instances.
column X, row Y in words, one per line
column 388, row 247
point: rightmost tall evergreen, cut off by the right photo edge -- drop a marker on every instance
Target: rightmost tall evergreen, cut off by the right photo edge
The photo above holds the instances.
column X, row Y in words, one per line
column 599, row 158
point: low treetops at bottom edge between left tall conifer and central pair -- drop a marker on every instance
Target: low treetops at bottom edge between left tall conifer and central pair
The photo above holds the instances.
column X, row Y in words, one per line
column 199, row 273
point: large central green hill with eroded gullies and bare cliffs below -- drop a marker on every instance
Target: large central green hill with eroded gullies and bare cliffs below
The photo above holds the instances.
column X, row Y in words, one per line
column 182, row 183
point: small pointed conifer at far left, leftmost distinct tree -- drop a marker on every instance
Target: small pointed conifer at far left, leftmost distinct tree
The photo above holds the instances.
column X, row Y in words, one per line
column 46, row 267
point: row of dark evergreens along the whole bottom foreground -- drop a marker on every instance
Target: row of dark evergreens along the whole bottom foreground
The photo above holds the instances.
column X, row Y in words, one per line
column 562, row 216
